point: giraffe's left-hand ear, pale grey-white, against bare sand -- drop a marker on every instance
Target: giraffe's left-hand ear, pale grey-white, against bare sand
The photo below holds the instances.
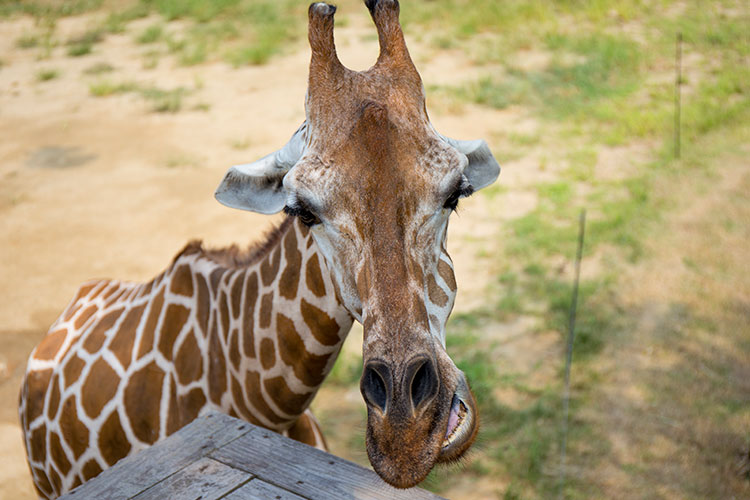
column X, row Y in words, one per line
column 258, row 186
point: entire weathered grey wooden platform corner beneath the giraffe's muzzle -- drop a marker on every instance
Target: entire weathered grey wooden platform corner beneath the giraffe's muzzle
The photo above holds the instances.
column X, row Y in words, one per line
column 220, row 457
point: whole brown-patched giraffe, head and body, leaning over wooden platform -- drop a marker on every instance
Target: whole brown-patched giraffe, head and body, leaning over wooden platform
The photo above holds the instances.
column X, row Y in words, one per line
column 368, row 186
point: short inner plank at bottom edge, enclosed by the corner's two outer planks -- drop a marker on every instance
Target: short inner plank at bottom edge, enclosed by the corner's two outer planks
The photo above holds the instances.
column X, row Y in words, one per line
column 205, row 479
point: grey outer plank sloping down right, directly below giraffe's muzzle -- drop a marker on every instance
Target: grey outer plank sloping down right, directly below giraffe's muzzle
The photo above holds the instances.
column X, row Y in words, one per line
column 307, row 471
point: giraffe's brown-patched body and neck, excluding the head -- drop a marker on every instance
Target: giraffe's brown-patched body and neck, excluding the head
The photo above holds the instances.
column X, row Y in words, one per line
column 128, row 364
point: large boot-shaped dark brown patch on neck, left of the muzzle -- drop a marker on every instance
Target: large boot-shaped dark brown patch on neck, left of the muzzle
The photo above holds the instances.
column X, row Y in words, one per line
column 309, row 368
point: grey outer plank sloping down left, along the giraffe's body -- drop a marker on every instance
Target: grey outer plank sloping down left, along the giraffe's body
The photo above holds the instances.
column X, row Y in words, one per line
column 142, row 470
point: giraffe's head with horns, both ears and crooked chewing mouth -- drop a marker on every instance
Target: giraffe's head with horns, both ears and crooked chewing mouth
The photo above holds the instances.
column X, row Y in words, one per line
column 376, row 184
